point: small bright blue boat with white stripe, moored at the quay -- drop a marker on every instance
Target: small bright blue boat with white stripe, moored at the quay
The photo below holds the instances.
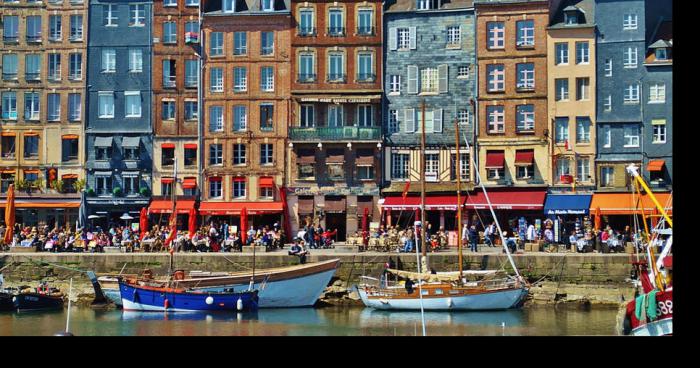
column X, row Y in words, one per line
column 161, row 298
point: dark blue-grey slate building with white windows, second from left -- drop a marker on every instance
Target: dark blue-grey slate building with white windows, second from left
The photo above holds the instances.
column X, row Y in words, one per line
column 119, row 130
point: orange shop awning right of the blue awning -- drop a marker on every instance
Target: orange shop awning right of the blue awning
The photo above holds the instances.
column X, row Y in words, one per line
column 627, row 203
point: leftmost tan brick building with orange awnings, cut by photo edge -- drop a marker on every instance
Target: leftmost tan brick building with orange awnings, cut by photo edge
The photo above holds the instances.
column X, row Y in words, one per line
column 42, row 59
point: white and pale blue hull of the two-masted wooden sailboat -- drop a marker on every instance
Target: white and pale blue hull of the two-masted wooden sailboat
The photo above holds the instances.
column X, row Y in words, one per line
column 491, row 300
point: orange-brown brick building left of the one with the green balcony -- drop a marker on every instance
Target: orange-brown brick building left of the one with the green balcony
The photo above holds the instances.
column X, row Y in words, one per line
column 246, row 108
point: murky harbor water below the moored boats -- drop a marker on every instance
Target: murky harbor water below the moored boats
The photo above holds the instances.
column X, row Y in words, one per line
column 331, row 321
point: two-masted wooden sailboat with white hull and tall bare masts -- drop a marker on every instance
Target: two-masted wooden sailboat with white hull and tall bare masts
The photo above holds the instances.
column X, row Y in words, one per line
column 491, row 290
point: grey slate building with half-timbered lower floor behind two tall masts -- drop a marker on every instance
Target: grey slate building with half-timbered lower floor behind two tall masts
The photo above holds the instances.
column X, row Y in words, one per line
column 430, row 59
